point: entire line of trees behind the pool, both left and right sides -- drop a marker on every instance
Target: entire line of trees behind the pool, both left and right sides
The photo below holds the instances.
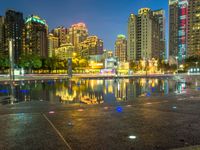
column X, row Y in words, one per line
column 33, row 62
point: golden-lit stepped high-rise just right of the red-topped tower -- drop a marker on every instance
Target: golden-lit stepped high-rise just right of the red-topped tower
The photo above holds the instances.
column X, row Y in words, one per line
column 91, row 46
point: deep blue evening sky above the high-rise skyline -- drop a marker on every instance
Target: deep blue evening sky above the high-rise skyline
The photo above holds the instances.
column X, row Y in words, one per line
column 104, row 18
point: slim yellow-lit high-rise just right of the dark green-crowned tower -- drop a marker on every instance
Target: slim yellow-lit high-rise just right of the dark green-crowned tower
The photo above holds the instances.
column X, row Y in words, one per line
column 53, row 43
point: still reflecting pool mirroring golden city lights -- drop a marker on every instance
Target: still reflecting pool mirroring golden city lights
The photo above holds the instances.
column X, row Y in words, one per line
column 95, row 91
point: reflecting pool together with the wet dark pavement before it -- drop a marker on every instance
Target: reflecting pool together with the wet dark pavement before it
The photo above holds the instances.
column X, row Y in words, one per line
column 136, row 113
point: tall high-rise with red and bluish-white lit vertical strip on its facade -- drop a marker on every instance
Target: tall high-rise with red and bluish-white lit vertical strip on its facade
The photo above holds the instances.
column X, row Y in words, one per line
column 178, row 29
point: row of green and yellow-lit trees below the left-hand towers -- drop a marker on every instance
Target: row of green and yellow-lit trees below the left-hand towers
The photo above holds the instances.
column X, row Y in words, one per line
column 33, row 62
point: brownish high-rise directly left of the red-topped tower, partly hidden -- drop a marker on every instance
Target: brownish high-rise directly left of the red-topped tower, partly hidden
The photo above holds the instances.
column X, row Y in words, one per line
column 61, row 33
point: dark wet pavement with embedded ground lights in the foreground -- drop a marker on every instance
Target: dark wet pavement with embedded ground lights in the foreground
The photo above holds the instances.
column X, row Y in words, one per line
column 146, row 124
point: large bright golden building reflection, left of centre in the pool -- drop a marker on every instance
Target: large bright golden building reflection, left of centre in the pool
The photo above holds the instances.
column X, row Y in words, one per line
column 81, row 91
